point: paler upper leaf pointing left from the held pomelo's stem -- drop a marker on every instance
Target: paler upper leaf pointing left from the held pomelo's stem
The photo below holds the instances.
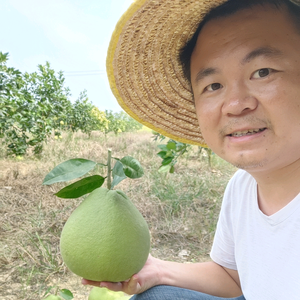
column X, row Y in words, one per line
column 69, row 170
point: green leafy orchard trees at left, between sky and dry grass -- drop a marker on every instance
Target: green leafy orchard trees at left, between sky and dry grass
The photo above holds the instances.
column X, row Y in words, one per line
column 34, row 105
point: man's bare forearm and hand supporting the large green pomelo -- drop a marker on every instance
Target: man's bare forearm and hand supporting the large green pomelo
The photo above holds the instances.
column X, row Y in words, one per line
column 207, row 277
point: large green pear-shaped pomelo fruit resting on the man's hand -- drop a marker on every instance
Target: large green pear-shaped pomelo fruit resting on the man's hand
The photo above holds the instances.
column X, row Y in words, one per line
column 106, row 238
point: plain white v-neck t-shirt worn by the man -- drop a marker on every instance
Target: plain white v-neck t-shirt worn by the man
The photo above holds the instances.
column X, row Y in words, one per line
column 264, row 249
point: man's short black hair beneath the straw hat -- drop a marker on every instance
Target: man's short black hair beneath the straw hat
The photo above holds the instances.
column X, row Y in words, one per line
column 227, row 9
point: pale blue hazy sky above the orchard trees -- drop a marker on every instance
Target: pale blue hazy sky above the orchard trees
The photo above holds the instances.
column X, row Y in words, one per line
column 72, row 35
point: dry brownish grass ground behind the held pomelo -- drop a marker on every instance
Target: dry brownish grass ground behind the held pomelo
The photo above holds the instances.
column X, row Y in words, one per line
column 181, row 209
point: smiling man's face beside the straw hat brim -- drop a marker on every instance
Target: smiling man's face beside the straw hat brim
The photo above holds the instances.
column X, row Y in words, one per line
column 245, row 73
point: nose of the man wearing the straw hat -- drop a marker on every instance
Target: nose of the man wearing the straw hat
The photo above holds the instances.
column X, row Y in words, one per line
column 238, row 100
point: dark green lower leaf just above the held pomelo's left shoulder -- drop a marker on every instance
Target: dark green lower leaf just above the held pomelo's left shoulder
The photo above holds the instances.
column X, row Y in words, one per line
column 81, row 187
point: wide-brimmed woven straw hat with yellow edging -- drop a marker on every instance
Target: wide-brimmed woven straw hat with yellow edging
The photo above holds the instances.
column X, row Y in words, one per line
column 144, row 70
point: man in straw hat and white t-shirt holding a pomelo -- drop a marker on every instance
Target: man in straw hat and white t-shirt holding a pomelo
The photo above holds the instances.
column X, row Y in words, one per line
column 243, row 64
